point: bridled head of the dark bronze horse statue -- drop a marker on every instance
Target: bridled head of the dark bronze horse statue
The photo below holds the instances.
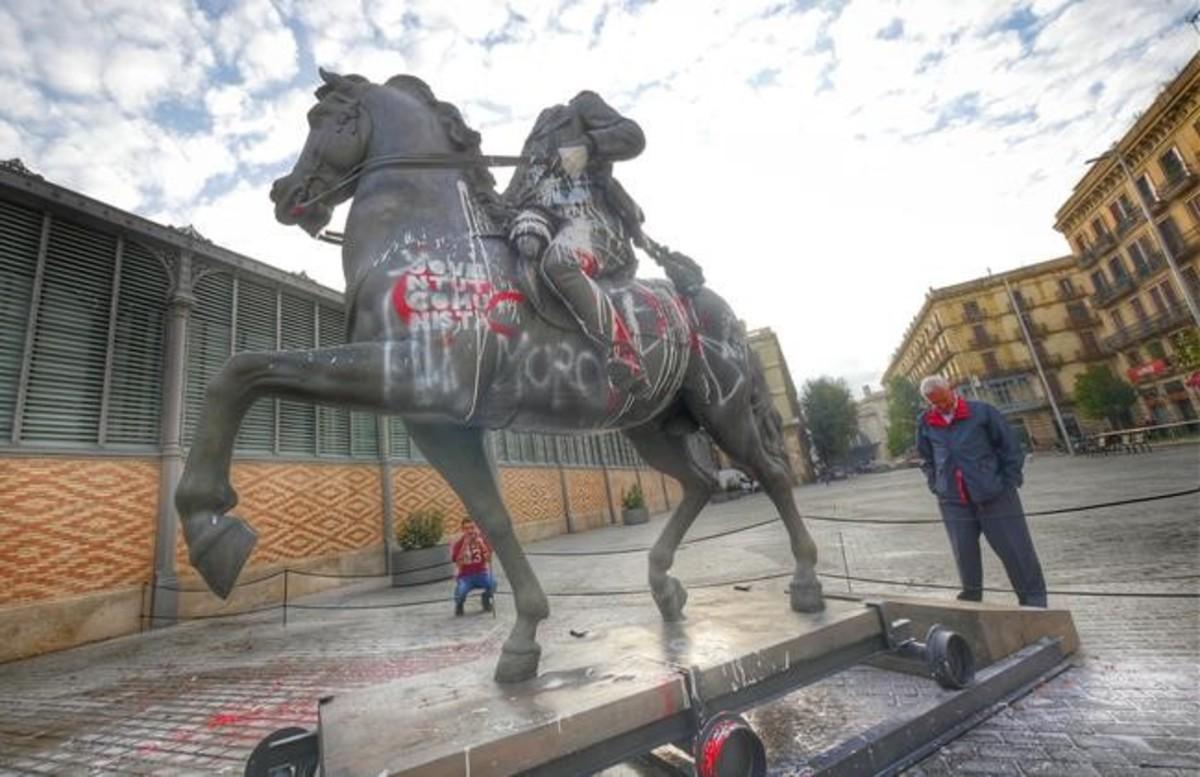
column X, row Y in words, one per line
column 339, row 132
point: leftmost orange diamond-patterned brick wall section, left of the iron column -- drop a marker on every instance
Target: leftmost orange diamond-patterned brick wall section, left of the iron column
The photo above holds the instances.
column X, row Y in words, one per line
column 75, row 526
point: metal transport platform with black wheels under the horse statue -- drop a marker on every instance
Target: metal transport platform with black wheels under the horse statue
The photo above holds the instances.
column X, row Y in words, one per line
column 611, row 696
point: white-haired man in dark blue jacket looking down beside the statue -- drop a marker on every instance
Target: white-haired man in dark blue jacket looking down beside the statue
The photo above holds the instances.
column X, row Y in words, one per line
column 974, row 467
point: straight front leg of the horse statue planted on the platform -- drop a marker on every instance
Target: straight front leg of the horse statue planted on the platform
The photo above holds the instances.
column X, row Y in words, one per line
column 459, row 455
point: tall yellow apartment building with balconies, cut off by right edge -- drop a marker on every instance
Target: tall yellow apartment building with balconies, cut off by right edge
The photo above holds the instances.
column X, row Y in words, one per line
column 1136, row 210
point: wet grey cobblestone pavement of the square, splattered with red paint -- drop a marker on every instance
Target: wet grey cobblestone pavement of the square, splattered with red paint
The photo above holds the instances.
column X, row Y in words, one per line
column 196, row 698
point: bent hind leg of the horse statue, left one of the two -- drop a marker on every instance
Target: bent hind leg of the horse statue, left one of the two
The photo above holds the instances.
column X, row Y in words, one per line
column 670, row 455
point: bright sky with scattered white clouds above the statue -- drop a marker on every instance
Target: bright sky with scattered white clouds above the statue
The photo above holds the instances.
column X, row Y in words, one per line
column 826, row 161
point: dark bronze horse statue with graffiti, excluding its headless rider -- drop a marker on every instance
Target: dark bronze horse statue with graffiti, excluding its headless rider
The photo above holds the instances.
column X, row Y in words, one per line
column 452, row 332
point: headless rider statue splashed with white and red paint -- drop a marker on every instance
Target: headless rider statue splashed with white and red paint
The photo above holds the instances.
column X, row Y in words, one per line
column 579, row 221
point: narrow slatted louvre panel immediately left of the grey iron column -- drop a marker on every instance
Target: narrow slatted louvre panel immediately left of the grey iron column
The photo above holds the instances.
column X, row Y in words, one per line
column 135, row 400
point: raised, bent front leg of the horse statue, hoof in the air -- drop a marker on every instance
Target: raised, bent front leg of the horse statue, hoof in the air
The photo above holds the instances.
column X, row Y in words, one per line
column 376, row 377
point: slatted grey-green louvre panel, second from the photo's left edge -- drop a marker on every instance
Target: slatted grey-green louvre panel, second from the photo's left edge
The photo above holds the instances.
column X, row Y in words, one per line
column 71, row 338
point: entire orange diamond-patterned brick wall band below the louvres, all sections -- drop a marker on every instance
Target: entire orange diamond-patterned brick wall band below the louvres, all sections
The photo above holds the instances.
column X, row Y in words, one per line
column 77, row 526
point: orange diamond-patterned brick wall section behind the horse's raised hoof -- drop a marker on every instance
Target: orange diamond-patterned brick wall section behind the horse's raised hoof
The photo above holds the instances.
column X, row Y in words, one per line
column 305, row 510
